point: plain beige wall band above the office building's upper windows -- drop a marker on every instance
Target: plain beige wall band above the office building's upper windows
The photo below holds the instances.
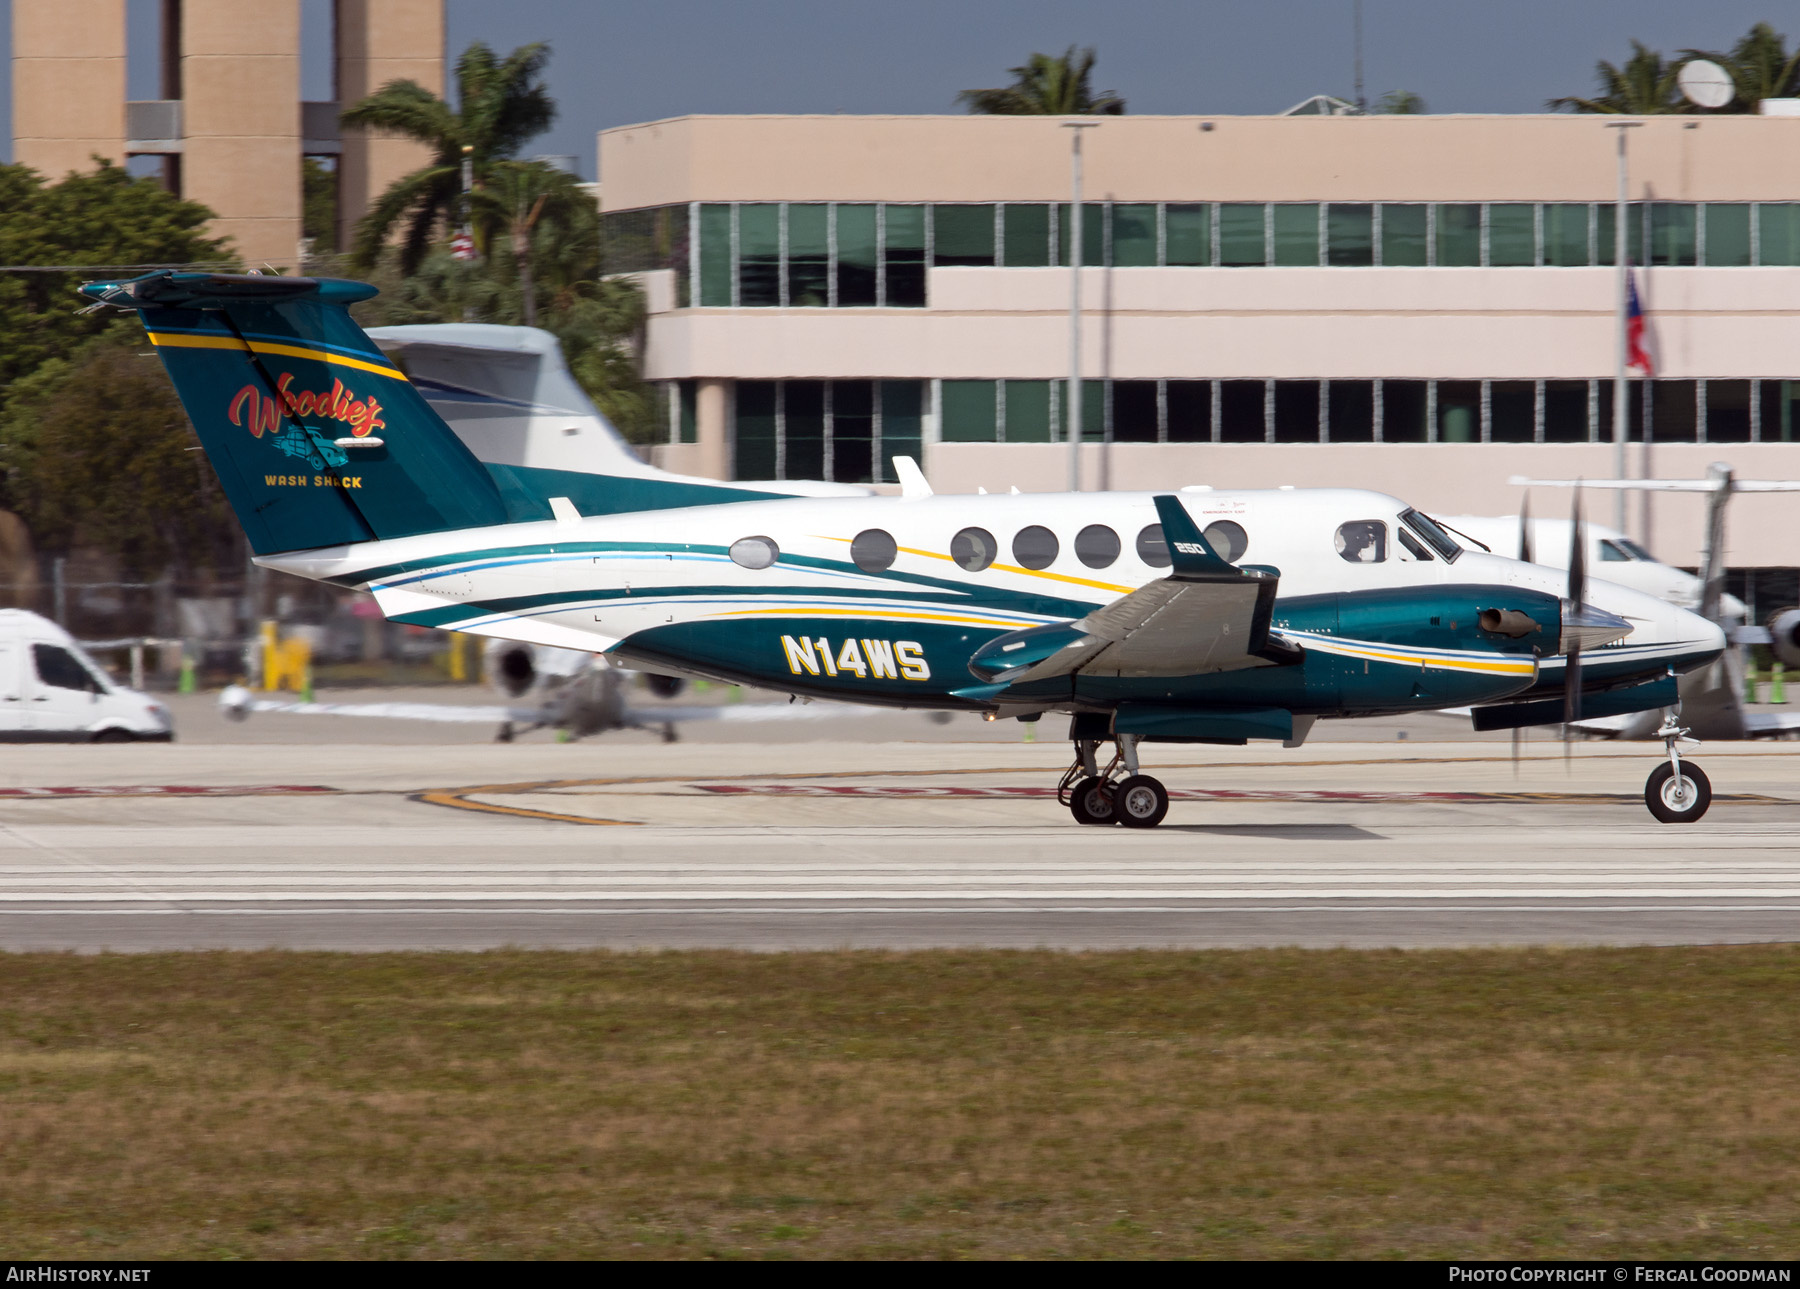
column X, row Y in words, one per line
column 1527, row 158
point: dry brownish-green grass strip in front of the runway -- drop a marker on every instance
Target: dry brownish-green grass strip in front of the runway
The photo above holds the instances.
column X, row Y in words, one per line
column 1601, row 1103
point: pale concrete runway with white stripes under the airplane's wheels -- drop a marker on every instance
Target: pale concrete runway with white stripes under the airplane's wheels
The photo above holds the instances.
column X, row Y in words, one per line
column 892, row 845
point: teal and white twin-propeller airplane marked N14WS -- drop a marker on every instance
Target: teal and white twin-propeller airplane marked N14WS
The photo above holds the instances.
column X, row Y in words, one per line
column 1194, row 618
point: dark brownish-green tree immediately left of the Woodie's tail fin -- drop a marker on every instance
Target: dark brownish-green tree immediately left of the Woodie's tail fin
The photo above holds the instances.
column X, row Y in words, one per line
column 100, row 455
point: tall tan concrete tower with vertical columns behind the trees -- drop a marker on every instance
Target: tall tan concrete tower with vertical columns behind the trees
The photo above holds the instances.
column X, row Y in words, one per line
column 229, row 122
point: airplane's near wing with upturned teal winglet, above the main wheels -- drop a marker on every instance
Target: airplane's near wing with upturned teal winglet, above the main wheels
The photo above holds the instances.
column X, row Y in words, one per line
column 1205, row 617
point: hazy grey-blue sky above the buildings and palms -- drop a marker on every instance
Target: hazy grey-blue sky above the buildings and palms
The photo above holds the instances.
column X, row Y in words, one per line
column 618, row 64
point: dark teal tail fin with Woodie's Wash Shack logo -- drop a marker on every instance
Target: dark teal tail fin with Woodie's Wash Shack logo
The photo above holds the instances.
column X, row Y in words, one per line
column 316, row 437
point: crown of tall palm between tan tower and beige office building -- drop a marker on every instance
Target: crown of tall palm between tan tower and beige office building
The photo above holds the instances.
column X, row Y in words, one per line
column 501, row 105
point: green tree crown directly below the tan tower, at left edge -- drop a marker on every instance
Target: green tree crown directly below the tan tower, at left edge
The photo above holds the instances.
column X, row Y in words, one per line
column 103, row 221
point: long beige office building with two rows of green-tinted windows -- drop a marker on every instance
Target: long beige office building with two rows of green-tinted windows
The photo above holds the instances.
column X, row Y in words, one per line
column 1419, row 305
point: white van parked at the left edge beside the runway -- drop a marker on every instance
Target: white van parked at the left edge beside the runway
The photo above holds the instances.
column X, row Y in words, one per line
column 55, row 694
